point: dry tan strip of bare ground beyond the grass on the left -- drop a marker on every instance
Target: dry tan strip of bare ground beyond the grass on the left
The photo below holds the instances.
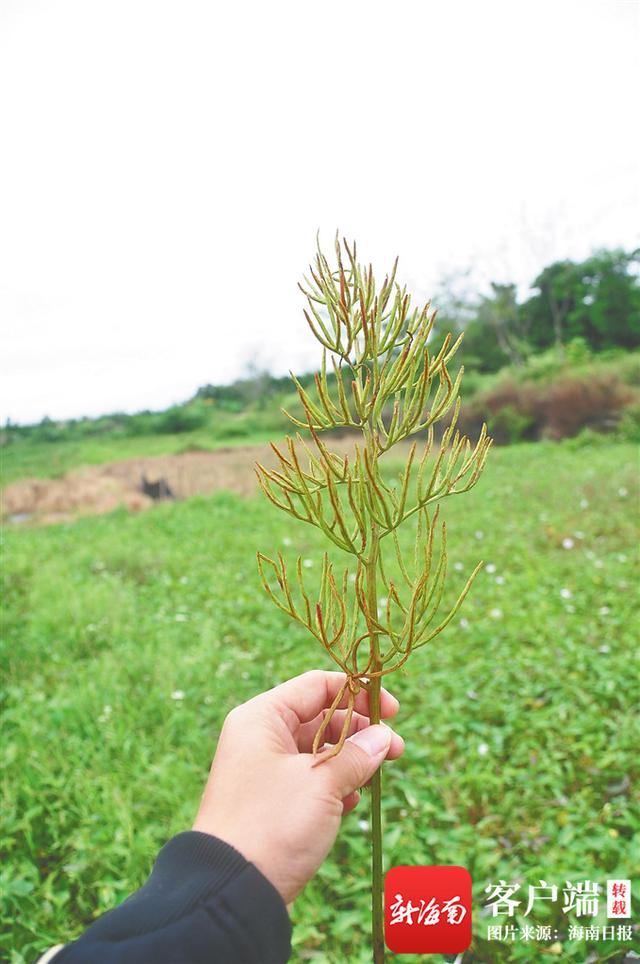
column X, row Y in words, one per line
column 97, row 489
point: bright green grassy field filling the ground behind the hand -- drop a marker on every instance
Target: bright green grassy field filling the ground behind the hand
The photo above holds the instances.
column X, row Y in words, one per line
column 107, row 617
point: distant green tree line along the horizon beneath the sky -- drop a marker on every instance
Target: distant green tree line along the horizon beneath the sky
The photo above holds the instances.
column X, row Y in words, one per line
column 575, row 307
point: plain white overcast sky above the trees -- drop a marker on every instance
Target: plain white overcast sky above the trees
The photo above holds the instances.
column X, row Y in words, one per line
column 165, row 166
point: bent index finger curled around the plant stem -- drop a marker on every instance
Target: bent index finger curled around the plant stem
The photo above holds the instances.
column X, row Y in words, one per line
column 309, row 694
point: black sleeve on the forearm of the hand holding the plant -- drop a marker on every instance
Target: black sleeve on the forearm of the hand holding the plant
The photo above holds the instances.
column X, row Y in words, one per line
column 203, row 904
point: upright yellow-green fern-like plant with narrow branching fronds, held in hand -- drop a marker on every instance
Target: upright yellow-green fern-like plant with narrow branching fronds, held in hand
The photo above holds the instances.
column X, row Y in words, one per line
column 379, row 380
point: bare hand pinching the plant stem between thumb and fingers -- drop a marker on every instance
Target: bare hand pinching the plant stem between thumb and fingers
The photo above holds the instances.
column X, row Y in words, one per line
column 263, row 795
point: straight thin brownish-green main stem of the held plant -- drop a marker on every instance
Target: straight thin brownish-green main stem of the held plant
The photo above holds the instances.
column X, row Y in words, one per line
column 377, row 888
